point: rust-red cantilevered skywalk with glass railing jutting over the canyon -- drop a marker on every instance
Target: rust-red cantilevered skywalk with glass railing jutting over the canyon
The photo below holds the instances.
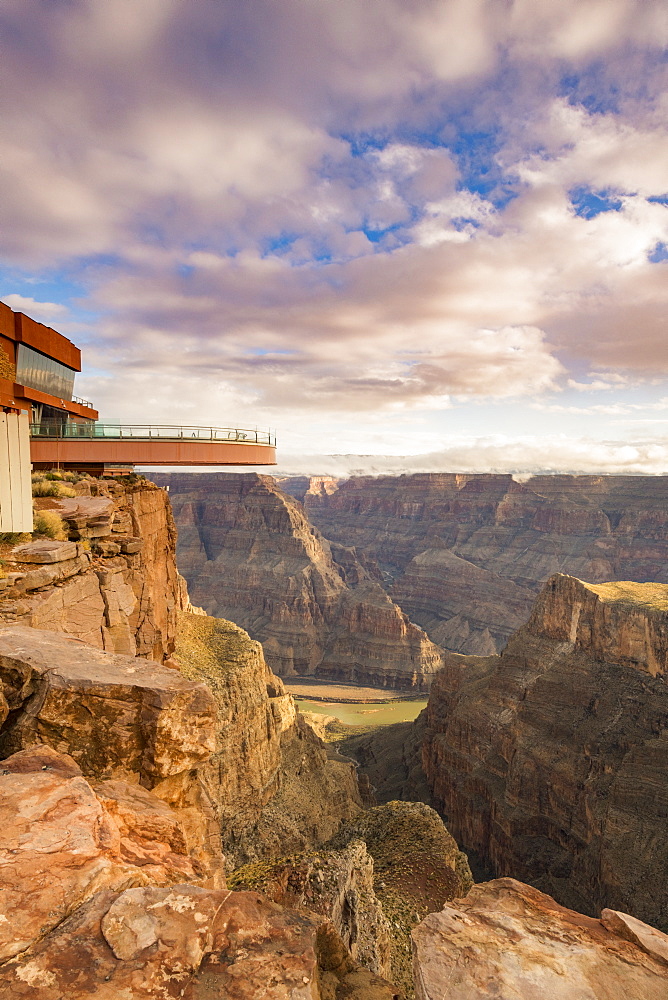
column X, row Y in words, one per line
column 95, row 447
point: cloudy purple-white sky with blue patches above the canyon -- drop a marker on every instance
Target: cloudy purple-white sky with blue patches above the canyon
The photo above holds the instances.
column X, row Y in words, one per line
column 405, row 235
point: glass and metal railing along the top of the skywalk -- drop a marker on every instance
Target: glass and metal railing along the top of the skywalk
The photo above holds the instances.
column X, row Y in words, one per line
column 149, row 432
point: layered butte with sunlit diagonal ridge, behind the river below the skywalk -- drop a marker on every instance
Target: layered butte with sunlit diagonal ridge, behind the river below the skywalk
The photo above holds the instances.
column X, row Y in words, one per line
column 250, row 555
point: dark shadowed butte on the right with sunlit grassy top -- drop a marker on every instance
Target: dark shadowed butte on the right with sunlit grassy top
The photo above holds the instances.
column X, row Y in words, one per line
column 550, row 759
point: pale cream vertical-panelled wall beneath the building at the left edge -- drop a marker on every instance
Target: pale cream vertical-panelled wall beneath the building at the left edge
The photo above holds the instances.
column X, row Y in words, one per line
column 15, row 485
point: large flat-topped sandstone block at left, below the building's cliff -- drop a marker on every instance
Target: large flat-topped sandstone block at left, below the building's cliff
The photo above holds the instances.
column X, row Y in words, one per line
column 118, row 716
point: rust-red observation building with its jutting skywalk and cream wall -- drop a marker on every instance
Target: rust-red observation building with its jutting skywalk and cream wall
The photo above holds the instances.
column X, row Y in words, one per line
column 44, row 425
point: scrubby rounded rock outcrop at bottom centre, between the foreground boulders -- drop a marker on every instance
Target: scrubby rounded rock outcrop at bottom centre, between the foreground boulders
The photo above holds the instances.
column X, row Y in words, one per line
column 376, row 879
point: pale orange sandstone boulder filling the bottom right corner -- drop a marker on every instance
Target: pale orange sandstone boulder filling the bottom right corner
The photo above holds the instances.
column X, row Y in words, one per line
column 508, row 941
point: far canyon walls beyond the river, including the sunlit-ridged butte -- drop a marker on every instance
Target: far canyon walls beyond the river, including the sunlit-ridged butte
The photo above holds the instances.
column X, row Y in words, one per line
column 461, row 556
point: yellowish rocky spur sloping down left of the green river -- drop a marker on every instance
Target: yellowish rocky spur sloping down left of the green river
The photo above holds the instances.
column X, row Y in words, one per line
column 275, row 788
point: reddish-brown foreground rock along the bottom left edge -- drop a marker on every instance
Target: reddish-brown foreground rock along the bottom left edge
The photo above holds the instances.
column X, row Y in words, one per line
column 185, row 941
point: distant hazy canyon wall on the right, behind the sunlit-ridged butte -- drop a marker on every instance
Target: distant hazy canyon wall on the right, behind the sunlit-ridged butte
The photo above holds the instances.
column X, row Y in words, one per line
column 465, row 555
